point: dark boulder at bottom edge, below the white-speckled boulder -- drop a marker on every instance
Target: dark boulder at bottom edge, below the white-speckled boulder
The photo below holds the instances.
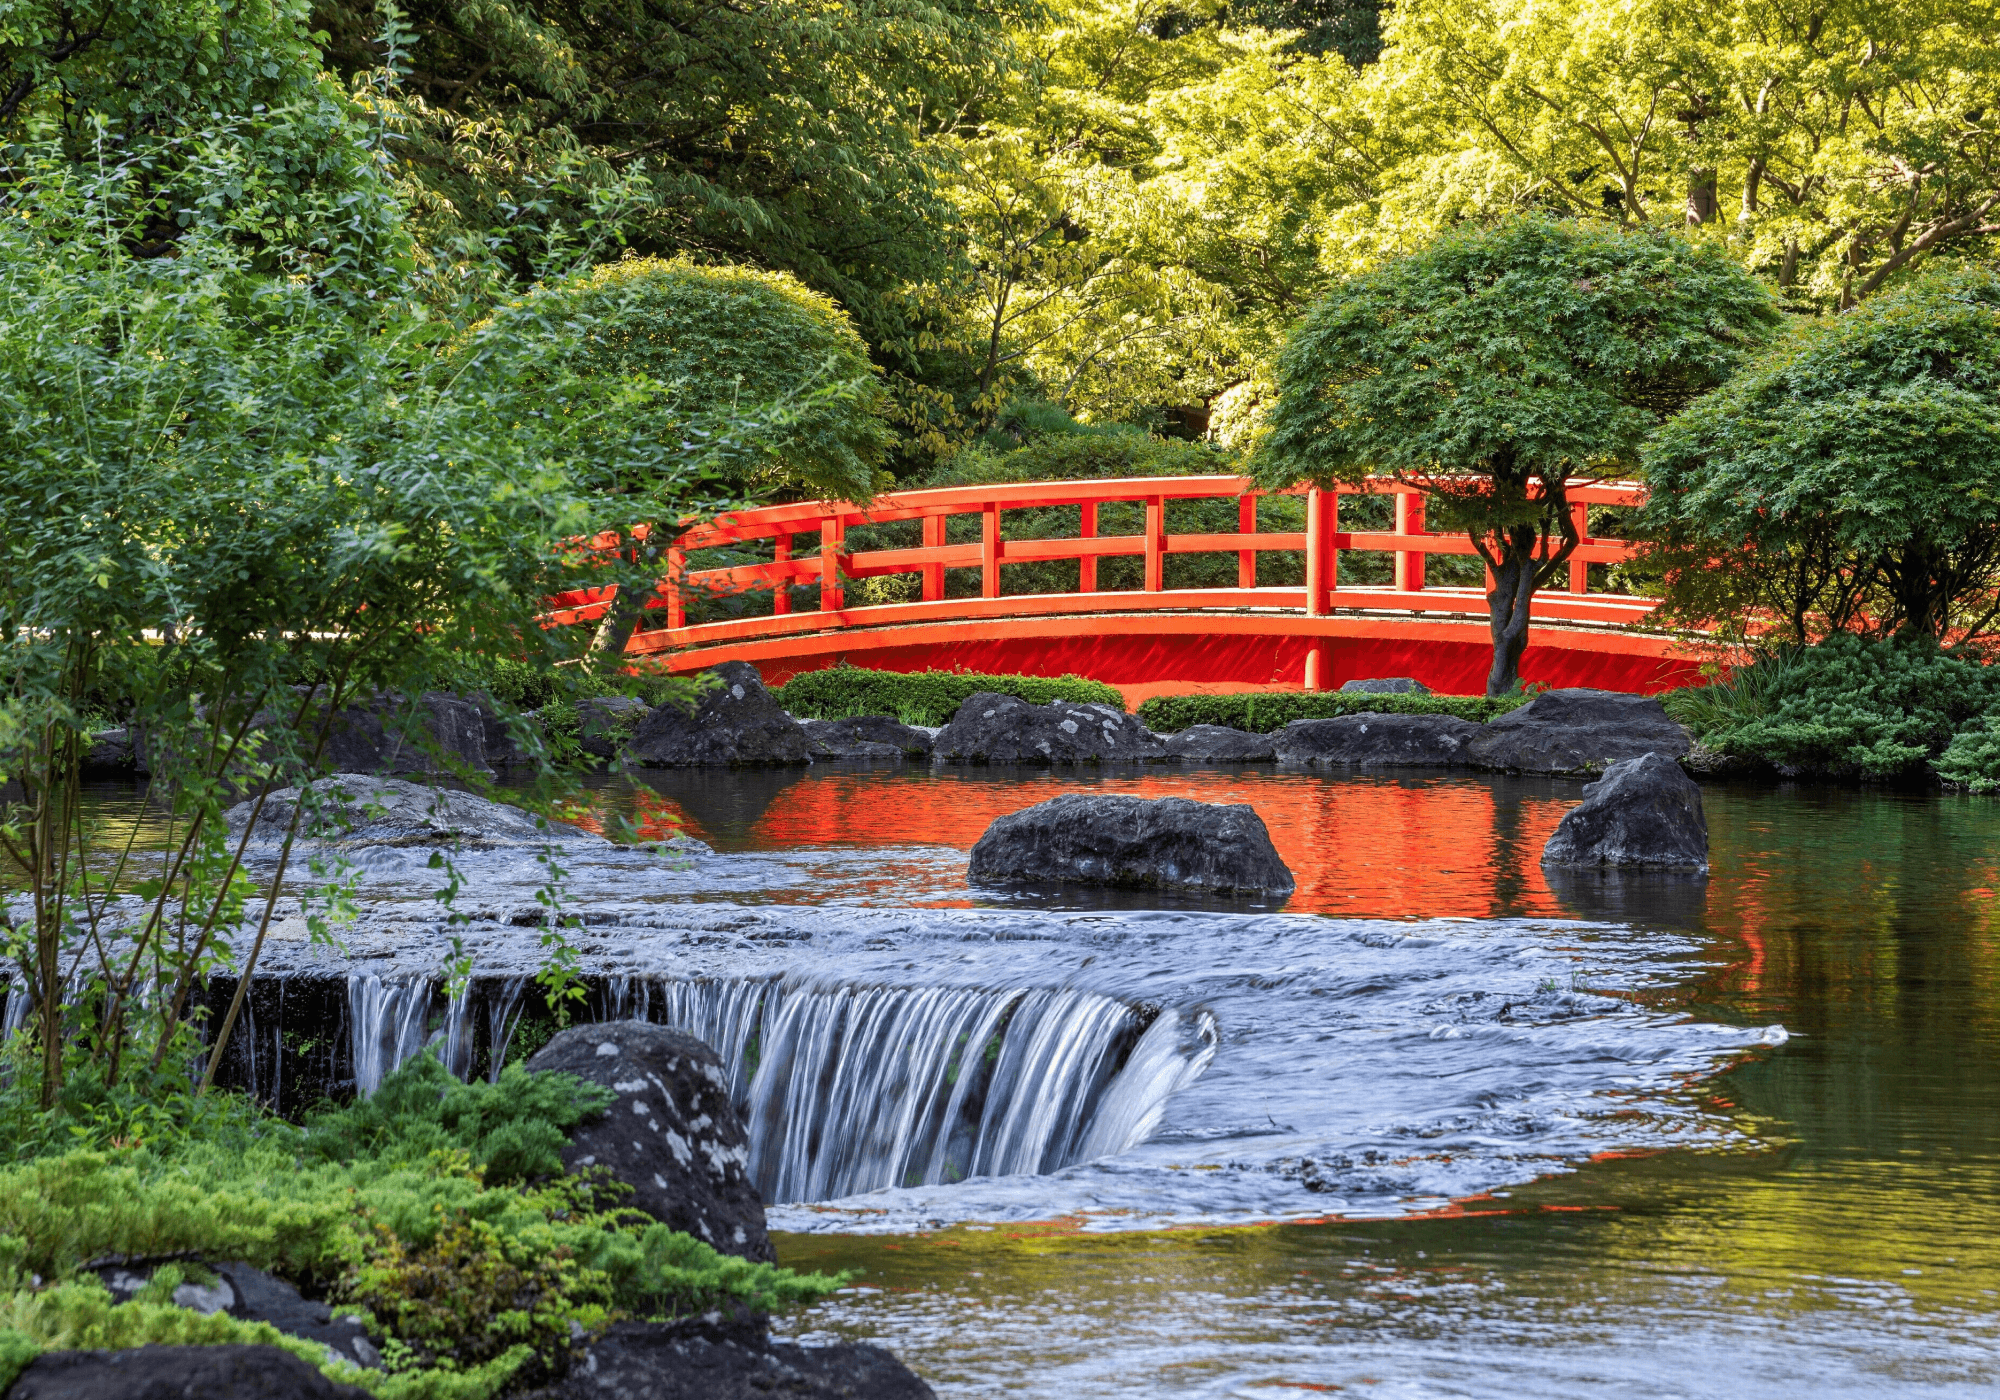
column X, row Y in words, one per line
column 709, row 1361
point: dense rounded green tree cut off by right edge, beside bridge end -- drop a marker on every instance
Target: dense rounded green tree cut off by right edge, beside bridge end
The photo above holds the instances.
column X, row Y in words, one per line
column 1851, row 475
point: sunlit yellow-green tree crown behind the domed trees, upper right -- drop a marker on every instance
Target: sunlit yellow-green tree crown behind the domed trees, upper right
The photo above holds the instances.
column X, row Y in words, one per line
column 1831, row 145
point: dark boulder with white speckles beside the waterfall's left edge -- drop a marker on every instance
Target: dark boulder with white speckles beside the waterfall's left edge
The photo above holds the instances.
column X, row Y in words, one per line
column 673, row 1135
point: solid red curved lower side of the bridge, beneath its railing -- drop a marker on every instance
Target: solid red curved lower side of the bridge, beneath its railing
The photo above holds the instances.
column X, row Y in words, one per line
column 1151, row 655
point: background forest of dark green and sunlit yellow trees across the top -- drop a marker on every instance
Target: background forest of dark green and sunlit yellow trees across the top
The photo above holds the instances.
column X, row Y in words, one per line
column 1113, row 207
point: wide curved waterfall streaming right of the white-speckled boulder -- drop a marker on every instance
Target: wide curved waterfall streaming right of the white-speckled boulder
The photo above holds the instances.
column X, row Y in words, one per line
column 851, row 1089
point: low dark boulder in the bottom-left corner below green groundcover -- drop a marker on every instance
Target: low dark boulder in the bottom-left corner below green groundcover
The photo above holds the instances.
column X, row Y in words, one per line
column 177, row 1373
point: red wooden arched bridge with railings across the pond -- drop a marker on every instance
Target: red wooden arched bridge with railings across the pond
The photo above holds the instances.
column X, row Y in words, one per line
column 1151, row 639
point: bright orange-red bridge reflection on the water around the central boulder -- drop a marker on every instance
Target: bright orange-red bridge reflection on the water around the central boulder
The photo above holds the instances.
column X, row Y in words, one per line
column 1359, row 847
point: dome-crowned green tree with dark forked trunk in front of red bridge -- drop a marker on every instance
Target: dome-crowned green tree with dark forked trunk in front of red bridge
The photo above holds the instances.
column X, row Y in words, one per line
column 1499, row 365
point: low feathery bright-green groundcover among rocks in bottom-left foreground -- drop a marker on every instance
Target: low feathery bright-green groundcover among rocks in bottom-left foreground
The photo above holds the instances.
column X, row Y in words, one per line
column 435, row 1209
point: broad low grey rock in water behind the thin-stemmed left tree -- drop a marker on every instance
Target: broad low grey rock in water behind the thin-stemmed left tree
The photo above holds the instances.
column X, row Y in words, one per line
column 363, row 811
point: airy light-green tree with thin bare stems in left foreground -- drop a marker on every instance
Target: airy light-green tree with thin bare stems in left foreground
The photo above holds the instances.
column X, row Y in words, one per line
column 247, row 505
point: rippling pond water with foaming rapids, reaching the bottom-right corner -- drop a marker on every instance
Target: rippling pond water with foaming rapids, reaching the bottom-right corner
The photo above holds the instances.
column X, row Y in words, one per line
column 1437, row 1127
